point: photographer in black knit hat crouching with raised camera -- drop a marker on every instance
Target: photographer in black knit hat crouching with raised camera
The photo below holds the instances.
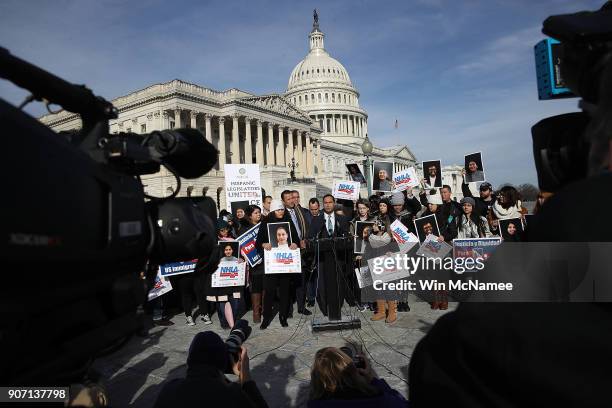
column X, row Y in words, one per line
column 205, row 384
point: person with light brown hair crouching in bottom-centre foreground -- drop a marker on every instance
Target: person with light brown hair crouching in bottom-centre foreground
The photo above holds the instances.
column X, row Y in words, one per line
column 341, row 378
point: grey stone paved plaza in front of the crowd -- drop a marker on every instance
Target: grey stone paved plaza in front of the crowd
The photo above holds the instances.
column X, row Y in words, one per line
column 134, row 374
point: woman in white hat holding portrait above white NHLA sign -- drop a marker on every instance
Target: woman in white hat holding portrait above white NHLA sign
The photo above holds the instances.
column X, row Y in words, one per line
column 284, row 231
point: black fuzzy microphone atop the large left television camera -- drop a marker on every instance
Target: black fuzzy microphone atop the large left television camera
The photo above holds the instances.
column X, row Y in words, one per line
column 185, row 150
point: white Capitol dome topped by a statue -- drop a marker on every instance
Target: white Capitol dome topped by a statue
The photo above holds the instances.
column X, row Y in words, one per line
column 320, row 86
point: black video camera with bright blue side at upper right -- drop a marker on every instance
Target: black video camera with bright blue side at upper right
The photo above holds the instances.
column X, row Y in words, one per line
column 571, row 63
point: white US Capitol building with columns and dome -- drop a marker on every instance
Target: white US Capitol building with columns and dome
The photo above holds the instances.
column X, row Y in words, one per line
column 314, row 128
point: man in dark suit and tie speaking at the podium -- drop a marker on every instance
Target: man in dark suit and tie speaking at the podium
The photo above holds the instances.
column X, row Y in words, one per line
column 332, row 231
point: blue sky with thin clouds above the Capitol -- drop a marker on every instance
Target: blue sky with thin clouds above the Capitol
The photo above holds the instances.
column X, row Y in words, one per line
column 457, row 75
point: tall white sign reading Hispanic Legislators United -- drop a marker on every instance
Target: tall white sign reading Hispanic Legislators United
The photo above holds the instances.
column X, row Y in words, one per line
column 242, row 183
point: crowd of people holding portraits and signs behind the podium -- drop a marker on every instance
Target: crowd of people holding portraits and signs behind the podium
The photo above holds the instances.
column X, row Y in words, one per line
column 487, row 214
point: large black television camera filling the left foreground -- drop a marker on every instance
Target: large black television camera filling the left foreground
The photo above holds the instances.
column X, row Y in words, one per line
column 79, row 229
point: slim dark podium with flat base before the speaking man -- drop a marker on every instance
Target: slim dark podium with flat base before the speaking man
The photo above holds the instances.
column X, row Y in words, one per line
column 330, row 257
